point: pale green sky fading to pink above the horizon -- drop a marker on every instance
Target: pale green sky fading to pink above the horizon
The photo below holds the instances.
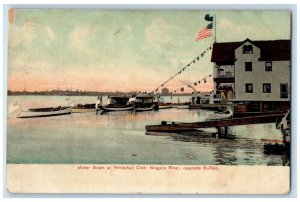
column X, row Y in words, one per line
column 124, row 50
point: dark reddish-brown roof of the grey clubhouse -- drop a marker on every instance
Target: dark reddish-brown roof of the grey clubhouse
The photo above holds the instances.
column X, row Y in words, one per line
column 276, row 50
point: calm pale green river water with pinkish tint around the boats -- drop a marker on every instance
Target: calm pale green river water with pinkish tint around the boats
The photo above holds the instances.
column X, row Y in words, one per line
column 120, row 138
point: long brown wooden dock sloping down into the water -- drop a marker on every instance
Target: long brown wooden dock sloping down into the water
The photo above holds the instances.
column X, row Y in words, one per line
column 219, row 124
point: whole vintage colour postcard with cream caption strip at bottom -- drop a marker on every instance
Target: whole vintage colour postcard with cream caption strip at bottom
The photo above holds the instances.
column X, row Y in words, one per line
column 148, row 101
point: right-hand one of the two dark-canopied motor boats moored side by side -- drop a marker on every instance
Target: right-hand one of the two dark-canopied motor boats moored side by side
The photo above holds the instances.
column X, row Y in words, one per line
column 143, row 103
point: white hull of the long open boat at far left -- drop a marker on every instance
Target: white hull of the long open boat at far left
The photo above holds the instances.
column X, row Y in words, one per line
column 36, row 114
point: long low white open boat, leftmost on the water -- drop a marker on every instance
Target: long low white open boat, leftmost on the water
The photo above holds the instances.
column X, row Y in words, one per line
column 45, row 112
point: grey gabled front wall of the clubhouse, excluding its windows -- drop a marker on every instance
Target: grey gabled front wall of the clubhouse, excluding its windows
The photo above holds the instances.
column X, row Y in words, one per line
column 280, row 74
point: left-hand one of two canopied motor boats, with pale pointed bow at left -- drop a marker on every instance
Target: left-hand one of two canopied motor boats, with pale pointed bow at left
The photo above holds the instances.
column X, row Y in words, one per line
column 118, row 103
